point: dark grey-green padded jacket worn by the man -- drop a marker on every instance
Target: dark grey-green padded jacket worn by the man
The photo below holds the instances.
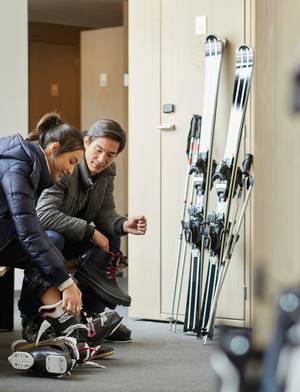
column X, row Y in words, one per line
column 71, row 205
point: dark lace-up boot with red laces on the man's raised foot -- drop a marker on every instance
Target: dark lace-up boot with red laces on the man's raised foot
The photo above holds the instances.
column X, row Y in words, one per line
column 97, row 269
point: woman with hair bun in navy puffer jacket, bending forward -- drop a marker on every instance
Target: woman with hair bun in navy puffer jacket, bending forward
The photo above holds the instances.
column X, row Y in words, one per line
column 26, row 169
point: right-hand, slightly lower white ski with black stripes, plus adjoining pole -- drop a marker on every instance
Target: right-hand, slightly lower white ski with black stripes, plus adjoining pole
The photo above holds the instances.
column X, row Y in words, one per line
column 221, row 231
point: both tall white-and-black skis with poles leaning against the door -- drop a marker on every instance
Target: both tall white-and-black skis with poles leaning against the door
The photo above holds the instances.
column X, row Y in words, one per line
column 214, row 232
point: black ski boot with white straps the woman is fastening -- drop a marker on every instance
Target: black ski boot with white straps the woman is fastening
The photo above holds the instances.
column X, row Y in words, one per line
column 87, row 330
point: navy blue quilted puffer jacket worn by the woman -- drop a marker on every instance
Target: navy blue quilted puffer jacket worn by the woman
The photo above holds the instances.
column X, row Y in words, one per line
column 23, row 176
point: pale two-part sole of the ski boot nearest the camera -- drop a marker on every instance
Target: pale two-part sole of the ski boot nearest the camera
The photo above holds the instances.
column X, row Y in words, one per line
column 54, row 364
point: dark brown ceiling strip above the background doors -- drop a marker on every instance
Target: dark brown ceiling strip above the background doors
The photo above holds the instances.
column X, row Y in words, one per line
column 85, row 13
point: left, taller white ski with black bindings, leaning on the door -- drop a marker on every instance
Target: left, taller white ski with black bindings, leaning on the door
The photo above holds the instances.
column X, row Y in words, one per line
column 200, row 173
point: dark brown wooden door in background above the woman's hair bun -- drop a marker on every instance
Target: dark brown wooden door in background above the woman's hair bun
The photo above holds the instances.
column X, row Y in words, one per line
column 54, row 80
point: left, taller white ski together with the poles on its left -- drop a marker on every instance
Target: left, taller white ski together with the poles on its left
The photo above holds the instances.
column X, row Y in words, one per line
column 195, row 194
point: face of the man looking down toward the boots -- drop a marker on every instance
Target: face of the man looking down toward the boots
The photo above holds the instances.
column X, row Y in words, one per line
column 100, row 153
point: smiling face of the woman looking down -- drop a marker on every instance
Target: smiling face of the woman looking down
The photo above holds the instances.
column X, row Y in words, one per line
column 62, row 164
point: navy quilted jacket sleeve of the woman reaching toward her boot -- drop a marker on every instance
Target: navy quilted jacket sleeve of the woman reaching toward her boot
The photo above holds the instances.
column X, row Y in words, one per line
column 21, row 201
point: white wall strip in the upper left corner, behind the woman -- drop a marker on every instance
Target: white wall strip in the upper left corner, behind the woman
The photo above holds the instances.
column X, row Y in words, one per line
column 14, row 75
